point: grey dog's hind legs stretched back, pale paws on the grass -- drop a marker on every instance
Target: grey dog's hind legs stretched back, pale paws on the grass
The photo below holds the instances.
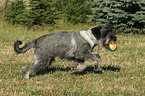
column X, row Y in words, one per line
column 39, row 66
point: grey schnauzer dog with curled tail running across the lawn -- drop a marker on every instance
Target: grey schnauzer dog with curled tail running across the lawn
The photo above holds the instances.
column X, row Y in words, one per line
column 75, row 46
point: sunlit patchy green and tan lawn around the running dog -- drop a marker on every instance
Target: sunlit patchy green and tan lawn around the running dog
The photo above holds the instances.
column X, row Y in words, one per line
column 123, row 70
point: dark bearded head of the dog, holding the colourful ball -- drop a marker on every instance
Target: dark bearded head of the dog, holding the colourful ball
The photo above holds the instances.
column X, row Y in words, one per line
column 104, row 34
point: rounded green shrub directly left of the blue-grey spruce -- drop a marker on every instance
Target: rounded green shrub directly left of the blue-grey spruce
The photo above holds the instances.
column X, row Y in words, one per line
column 75, row 11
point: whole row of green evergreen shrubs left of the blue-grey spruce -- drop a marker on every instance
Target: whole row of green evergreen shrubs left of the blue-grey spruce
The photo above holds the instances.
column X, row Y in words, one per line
column 41, row 12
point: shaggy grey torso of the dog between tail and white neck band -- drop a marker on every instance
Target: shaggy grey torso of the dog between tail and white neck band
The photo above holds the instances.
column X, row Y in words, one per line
column 61, row 44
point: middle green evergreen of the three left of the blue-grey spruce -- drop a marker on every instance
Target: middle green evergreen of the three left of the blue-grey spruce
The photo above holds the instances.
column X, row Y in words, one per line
column 42, row 12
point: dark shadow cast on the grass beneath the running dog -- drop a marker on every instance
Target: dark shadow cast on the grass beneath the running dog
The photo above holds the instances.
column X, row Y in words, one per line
column 89, row 69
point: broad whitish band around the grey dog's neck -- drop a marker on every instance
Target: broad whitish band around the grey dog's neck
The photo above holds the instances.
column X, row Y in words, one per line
column 89, row 37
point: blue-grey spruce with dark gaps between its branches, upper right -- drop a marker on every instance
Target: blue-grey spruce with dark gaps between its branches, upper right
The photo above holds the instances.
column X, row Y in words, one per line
column 128, row 14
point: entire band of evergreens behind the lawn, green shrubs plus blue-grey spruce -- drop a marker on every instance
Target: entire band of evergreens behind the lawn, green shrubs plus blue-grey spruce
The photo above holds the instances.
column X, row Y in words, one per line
column 128, row 14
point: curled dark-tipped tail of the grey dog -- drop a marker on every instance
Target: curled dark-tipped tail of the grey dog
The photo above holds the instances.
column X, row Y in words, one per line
column 25, row 48
